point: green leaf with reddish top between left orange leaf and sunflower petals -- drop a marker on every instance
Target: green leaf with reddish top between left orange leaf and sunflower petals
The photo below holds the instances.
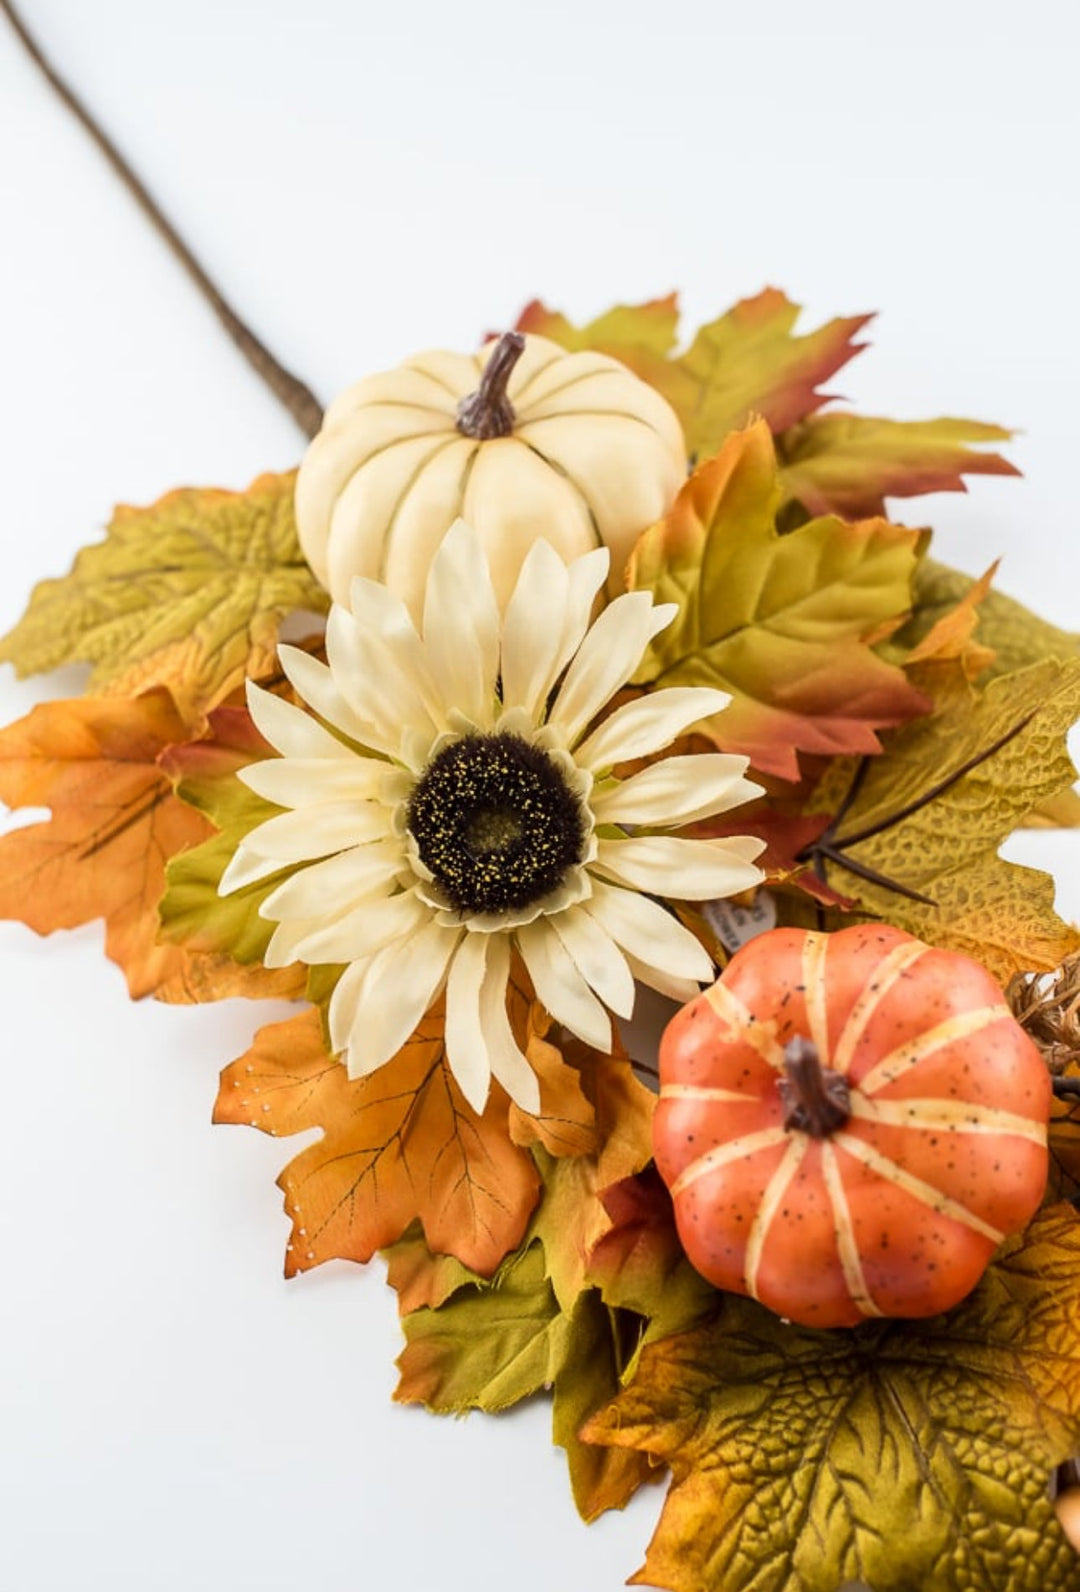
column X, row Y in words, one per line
column 205, row 773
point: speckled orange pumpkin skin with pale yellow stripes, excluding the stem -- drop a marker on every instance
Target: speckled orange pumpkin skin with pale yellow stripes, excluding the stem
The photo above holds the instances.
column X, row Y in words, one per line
column 901, row 1209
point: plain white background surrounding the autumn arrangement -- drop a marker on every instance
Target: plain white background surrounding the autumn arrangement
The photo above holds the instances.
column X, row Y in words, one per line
column 366, row 182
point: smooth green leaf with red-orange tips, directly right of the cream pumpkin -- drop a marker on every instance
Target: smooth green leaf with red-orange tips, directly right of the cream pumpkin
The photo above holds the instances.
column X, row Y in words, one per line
column 783, row 623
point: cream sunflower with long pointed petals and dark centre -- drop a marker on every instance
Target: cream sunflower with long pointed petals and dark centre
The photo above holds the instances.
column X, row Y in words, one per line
column 458, row 805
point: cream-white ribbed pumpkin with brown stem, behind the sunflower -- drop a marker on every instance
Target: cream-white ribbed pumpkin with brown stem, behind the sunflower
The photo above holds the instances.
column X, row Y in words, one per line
column 522, row 440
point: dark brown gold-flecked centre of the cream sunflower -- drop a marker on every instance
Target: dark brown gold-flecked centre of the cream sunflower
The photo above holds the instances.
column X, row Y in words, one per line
column 496, row 822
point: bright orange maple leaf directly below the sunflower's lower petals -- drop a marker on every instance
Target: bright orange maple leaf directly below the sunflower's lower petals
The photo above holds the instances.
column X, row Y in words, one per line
column 396, row 1147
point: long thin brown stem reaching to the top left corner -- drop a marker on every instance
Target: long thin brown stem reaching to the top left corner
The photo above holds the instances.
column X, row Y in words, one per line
column 299, row 399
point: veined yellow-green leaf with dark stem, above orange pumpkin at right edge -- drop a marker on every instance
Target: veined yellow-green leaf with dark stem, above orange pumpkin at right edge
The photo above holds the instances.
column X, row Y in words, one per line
column 933, row 811
